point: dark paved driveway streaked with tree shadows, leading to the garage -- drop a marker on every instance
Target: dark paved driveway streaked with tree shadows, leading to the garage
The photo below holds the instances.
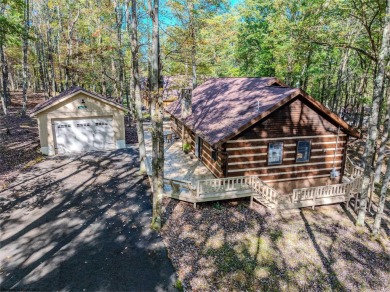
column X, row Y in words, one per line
column 81, row 223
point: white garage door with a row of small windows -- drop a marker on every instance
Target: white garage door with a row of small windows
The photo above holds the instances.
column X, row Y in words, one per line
column 84, row 135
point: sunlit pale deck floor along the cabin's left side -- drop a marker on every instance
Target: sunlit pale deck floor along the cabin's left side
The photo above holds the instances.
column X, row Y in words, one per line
column 179, row 165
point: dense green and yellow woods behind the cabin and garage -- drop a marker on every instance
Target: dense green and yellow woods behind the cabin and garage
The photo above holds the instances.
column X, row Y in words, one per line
column 328, row 48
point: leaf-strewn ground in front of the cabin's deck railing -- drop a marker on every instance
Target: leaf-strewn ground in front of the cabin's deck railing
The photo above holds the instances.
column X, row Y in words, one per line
column 227, row 246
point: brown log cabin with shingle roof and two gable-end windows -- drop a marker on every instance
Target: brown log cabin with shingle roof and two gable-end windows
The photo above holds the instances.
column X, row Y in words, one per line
column 260, row 126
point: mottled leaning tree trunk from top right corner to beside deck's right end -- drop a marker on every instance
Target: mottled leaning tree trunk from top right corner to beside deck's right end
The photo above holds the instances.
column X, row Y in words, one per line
column 373, row 124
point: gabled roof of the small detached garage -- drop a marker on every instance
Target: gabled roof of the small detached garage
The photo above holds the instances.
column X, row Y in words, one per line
column 72, row 91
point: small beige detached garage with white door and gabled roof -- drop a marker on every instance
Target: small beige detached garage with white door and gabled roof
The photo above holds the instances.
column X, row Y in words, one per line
column 78, row 120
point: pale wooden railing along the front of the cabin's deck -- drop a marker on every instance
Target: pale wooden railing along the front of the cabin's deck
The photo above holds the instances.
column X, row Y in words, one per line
column 254, row 188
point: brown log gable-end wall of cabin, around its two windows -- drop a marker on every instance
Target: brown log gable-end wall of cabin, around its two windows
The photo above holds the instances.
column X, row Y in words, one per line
column 296, row 121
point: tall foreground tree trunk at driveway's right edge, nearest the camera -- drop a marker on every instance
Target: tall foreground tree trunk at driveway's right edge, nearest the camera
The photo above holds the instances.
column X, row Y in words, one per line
column 157, row 118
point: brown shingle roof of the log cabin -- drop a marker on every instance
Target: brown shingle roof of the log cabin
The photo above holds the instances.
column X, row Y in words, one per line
column 224, row 107
